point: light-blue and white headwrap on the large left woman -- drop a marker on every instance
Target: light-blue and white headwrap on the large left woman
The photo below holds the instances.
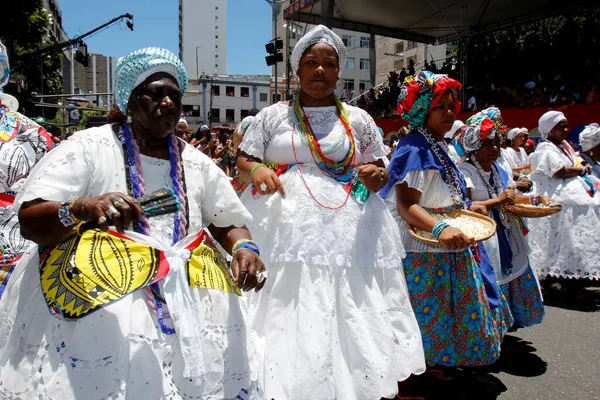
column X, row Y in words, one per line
column 133, row 69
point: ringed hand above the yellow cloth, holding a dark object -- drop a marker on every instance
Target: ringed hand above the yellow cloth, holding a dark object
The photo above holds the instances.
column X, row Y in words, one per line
column 117, row 208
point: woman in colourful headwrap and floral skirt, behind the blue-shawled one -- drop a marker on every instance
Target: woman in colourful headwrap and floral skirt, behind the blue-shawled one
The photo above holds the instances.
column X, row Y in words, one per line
column 491, row 186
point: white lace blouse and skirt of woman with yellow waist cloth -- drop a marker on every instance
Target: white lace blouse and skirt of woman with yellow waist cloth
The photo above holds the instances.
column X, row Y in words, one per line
column 120, row 352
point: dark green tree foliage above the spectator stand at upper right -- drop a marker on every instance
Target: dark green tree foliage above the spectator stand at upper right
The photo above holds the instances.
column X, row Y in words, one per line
column 565, row 45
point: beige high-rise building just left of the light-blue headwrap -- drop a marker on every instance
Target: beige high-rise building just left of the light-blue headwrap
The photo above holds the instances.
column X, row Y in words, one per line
column 97, row 77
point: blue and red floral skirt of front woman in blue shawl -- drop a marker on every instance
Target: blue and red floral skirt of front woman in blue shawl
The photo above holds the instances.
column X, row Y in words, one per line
column 449, row 301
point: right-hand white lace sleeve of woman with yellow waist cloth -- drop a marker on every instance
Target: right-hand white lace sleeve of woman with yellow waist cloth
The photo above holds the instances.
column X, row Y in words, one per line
column 220, row 205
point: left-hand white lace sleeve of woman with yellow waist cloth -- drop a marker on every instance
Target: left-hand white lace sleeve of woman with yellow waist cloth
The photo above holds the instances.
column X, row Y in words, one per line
column 62, row 173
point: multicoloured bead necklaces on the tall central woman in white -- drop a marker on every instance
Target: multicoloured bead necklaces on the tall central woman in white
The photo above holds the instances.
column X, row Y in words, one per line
column 343, row 171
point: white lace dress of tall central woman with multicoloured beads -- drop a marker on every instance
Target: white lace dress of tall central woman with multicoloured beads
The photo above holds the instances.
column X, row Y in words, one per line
column 334, row 320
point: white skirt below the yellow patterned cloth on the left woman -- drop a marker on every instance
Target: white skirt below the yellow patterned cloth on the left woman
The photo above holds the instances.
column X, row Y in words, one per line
column 118, row 352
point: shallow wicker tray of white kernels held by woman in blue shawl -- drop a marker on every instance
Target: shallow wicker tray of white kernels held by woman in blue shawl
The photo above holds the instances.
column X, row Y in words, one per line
column 486, row 227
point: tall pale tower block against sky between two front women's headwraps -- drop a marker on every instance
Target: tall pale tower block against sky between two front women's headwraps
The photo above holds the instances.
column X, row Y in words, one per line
column 203, row 37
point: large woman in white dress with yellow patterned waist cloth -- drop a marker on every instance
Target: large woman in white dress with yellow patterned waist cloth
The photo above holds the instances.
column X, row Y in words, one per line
column 72, row 324
